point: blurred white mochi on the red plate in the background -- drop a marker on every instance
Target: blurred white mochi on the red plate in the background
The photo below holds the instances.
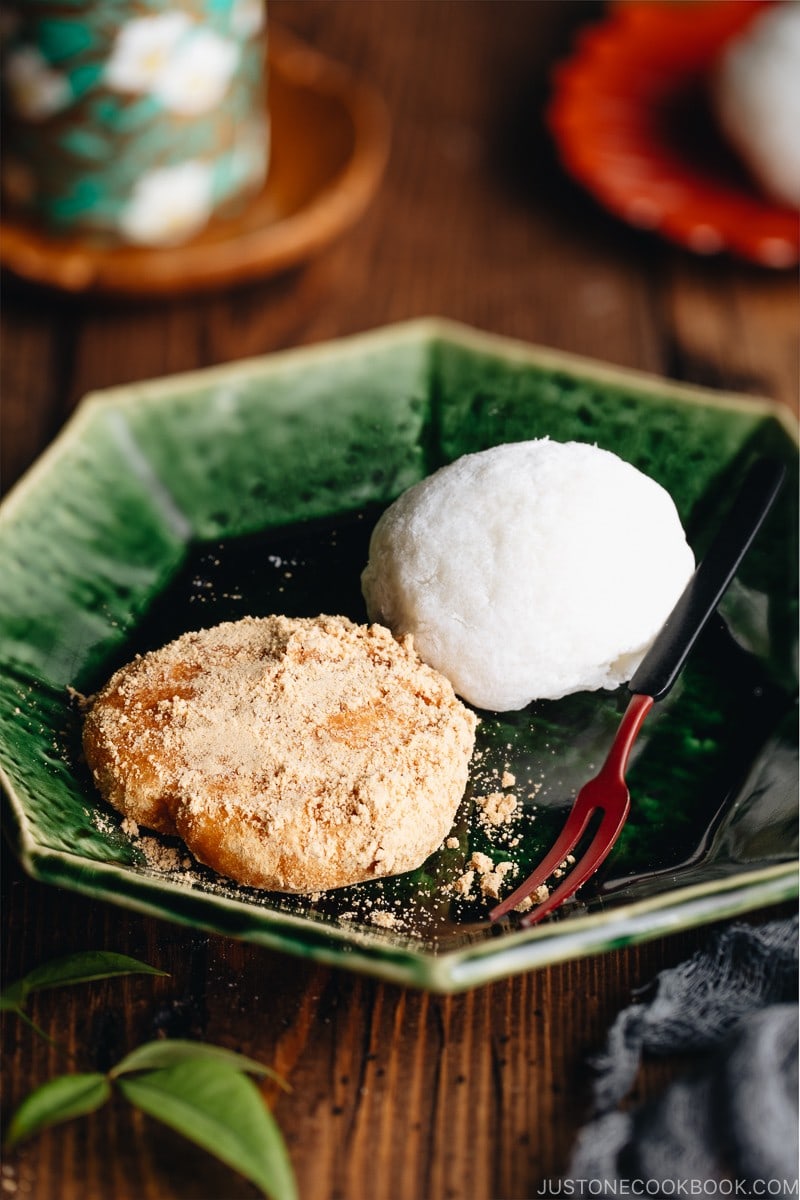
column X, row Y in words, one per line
column 756, row 91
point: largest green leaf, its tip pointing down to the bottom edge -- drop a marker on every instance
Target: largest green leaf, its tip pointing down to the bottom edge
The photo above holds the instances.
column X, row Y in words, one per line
column 221, row 1111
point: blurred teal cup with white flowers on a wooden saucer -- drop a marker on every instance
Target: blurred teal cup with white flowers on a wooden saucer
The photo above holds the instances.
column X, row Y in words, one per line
column 134, row 121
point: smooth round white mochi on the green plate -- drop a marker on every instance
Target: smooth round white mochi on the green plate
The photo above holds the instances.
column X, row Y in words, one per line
column 530, row 572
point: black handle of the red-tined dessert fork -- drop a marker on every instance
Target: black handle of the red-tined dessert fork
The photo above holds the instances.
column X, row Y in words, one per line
column 664, row 662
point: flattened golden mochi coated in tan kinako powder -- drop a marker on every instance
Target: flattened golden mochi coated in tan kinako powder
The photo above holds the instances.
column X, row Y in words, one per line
column 290, row 754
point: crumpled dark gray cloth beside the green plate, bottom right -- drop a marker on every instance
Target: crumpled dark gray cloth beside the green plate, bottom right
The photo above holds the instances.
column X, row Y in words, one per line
column 730, row 1125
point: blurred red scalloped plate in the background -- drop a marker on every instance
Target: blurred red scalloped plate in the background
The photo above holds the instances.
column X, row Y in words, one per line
column 633, row 122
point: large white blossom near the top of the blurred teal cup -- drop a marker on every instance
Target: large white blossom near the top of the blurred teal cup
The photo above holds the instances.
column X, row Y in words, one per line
column 187, row 68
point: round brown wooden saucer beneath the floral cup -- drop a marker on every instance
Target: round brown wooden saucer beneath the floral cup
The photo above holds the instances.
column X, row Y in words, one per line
column 330, row 145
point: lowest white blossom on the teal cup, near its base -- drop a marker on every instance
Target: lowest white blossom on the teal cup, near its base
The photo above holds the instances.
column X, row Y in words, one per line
column 169, row 205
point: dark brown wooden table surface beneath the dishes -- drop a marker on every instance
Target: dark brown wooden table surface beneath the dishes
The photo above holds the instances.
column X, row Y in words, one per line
column 395, row 1095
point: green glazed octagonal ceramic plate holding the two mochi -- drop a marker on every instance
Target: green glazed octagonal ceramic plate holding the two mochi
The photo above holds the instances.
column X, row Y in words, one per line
column 252, row 489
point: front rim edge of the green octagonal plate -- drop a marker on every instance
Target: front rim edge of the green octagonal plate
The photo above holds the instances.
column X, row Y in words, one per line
column 412, row 965
